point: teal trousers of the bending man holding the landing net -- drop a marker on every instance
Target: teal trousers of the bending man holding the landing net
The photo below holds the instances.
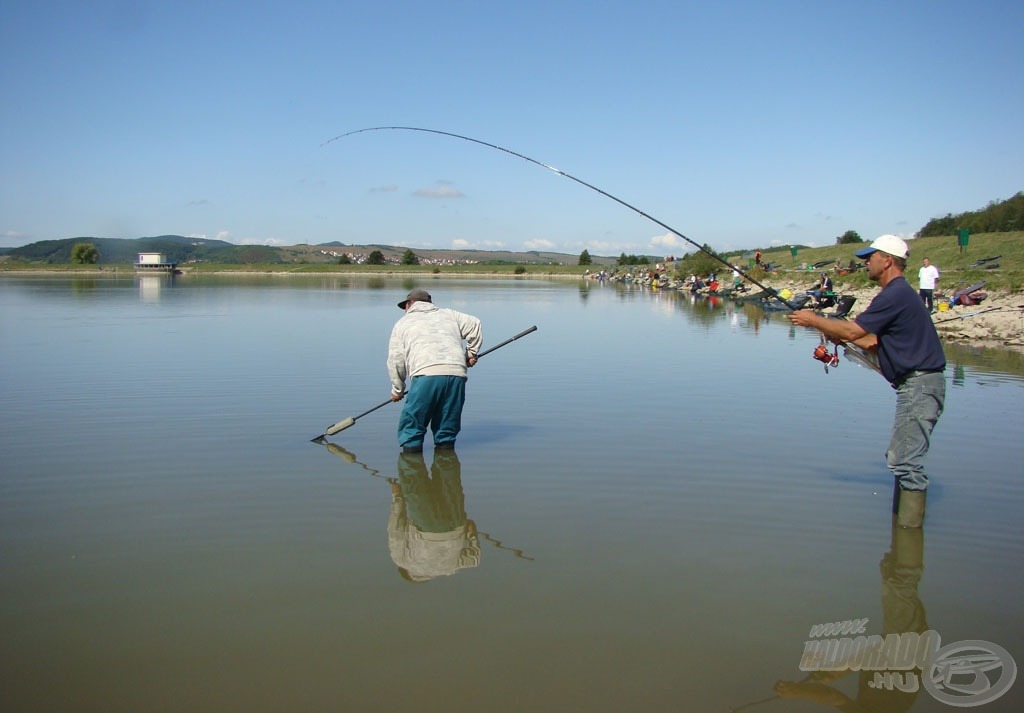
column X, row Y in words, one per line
column 436, row 403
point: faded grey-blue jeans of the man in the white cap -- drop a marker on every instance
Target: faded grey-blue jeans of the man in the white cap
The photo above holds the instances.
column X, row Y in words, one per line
column 919, row 405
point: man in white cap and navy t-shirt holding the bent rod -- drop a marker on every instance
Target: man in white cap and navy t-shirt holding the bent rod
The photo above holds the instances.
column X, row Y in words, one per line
column 899, row 329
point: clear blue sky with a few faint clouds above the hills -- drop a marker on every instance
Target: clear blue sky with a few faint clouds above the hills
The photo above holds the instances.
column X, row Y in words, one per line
column 737, row 124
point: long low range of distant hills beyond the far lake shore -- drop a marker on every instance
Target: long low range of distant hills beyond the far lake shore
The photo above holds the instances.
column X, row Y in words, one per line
column 185, row 250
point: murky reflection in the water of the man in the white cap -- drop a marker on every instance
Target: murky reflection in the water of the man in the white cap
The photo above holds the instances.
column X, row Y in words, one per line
column 902, row 613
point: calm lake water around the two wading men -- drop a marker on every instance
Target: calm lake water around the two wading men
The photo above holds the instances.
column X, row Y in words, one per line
column 653, row 504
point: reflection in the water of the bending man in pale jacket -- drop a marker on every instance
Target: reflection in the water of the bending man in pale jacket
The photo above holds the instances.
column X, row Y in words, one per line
column 428, row 529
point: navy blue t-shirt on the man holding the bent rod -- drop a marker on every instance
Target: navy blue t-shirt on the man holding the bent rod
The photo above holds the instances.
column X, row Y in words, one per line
column 908, row 341
